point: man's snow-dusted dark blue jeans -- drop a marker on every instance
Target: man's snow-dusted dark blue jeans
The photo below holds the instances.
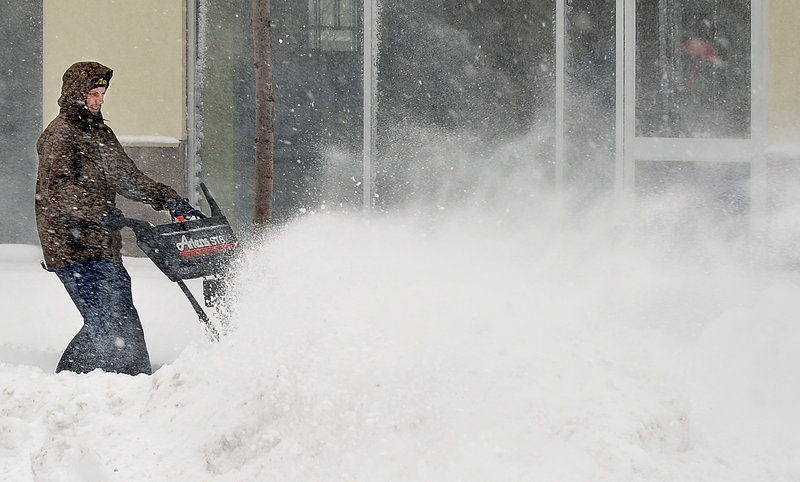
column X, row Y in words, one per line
column 111, row 337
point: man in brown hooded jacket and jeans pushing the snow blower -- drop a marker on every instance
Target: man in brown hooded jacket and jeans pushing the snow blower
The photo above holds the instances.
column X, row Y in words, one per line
column 82, row 167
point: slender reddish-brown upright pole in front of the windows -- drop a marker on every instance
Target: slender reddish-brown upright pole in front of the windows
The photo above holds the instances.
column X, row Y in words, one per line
column 265, row 108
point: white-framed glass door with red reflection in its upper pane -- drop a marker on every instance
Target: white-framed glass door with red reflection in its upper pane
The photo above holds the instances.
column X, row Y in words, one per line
column 693, row 109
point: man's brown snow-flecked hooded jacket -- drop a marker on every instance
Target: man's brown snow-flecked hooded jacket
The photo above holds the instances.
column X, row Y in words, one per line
column 82, row 167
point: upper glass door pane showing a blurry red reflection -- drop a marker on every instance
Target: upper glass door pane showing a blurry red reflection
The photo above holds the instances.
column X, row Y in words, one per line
column 693, row 68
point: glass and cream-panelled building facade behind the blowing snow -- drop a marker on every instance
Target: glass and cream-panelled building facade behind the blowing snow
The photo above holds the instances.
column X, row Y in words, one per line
column 620, row 95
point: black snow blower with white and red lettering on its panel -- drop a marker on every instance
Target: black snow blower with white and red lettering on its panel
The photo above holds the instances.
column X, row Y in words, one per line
column 187, row 249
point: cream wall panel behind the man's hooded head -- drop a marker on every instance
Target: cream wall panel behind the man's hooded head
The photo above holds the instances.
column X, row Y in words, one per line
column 143, row 41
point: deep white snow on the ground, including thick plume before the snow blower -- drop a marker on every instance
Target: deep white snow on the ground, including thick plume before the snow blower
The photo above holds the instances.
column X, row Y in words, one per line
column 467, row 345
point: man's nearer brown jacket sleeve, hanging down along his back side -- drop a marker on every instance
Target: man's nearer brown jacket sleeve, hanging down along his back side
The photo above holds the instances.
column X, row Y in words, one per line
column 57, row 179
